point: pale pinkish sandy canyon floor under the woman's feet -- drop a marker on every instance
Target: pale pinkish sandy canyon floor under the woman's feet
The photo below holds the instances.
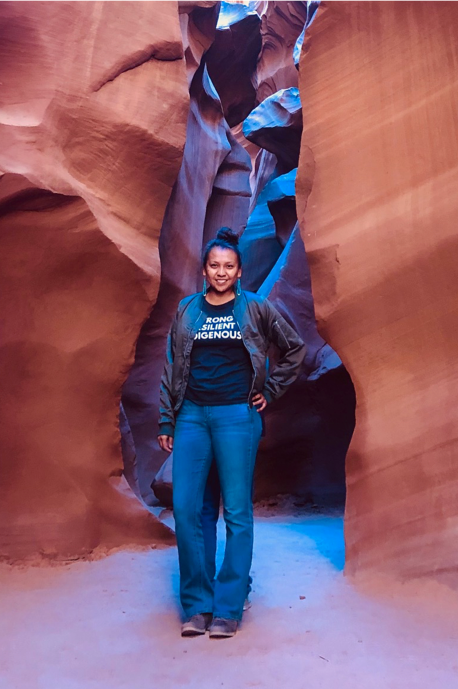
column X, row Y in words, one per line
column 114, row 623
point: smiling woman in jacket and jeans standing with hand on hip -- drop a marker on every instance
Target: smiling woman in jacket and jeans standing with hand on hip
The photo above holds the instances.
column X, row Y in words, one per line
column 214, row 385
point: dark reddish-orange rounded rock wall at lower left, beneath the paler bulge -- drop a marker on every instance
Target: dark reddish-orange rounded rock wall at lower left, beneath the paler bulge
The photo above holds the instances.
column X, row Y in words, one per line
column 71, row 316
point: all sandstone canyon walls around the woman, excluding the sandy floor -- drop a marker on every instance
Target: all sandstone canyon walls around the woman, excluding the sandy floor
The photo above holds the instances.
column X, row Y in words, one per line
column 125, row 143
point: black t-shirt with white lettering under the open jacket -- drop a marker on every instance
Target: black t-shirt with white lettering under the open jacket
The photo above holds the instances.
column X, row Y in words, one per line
column 221, row 371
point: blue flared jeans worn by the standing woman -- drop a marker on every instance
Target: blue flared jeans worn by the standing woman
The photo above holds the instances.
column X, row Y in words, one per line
column 230, row 434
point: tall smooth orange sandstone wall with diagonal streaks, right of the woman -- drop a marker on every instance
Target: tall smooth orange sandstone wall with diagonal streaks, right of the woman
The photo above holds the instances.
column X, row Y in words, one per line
column 379, row 85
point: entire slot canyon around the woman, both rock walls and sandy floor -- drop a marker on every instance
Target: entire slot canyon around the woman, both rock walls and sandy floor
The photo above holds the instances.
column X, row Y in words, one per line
column 305, row 126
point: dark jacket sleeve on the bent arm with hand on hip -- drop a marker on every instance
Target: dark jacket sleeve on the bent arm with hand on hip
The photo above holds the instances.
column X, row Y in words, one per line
column 292, row 353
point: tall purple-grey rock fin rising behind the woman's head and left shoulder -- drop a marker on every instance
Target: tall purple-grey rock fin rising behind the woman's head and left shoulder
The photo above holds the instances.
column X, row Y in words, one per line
column 212, row 189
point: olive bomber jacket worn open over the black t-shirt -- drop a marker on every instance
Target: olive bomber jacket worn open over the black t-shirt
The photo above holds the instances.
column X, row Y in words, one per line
column 261, row 325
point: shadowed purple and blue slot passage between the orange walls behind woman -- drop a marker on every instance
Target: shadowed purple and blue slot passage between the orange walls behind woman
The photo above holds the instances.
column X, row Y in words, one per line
column 248, row 121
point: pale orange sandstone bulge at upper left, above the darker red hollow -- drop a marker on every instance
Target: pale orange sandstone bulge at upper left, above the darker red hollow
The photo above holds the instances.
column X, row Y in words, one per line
column 94, row 80
